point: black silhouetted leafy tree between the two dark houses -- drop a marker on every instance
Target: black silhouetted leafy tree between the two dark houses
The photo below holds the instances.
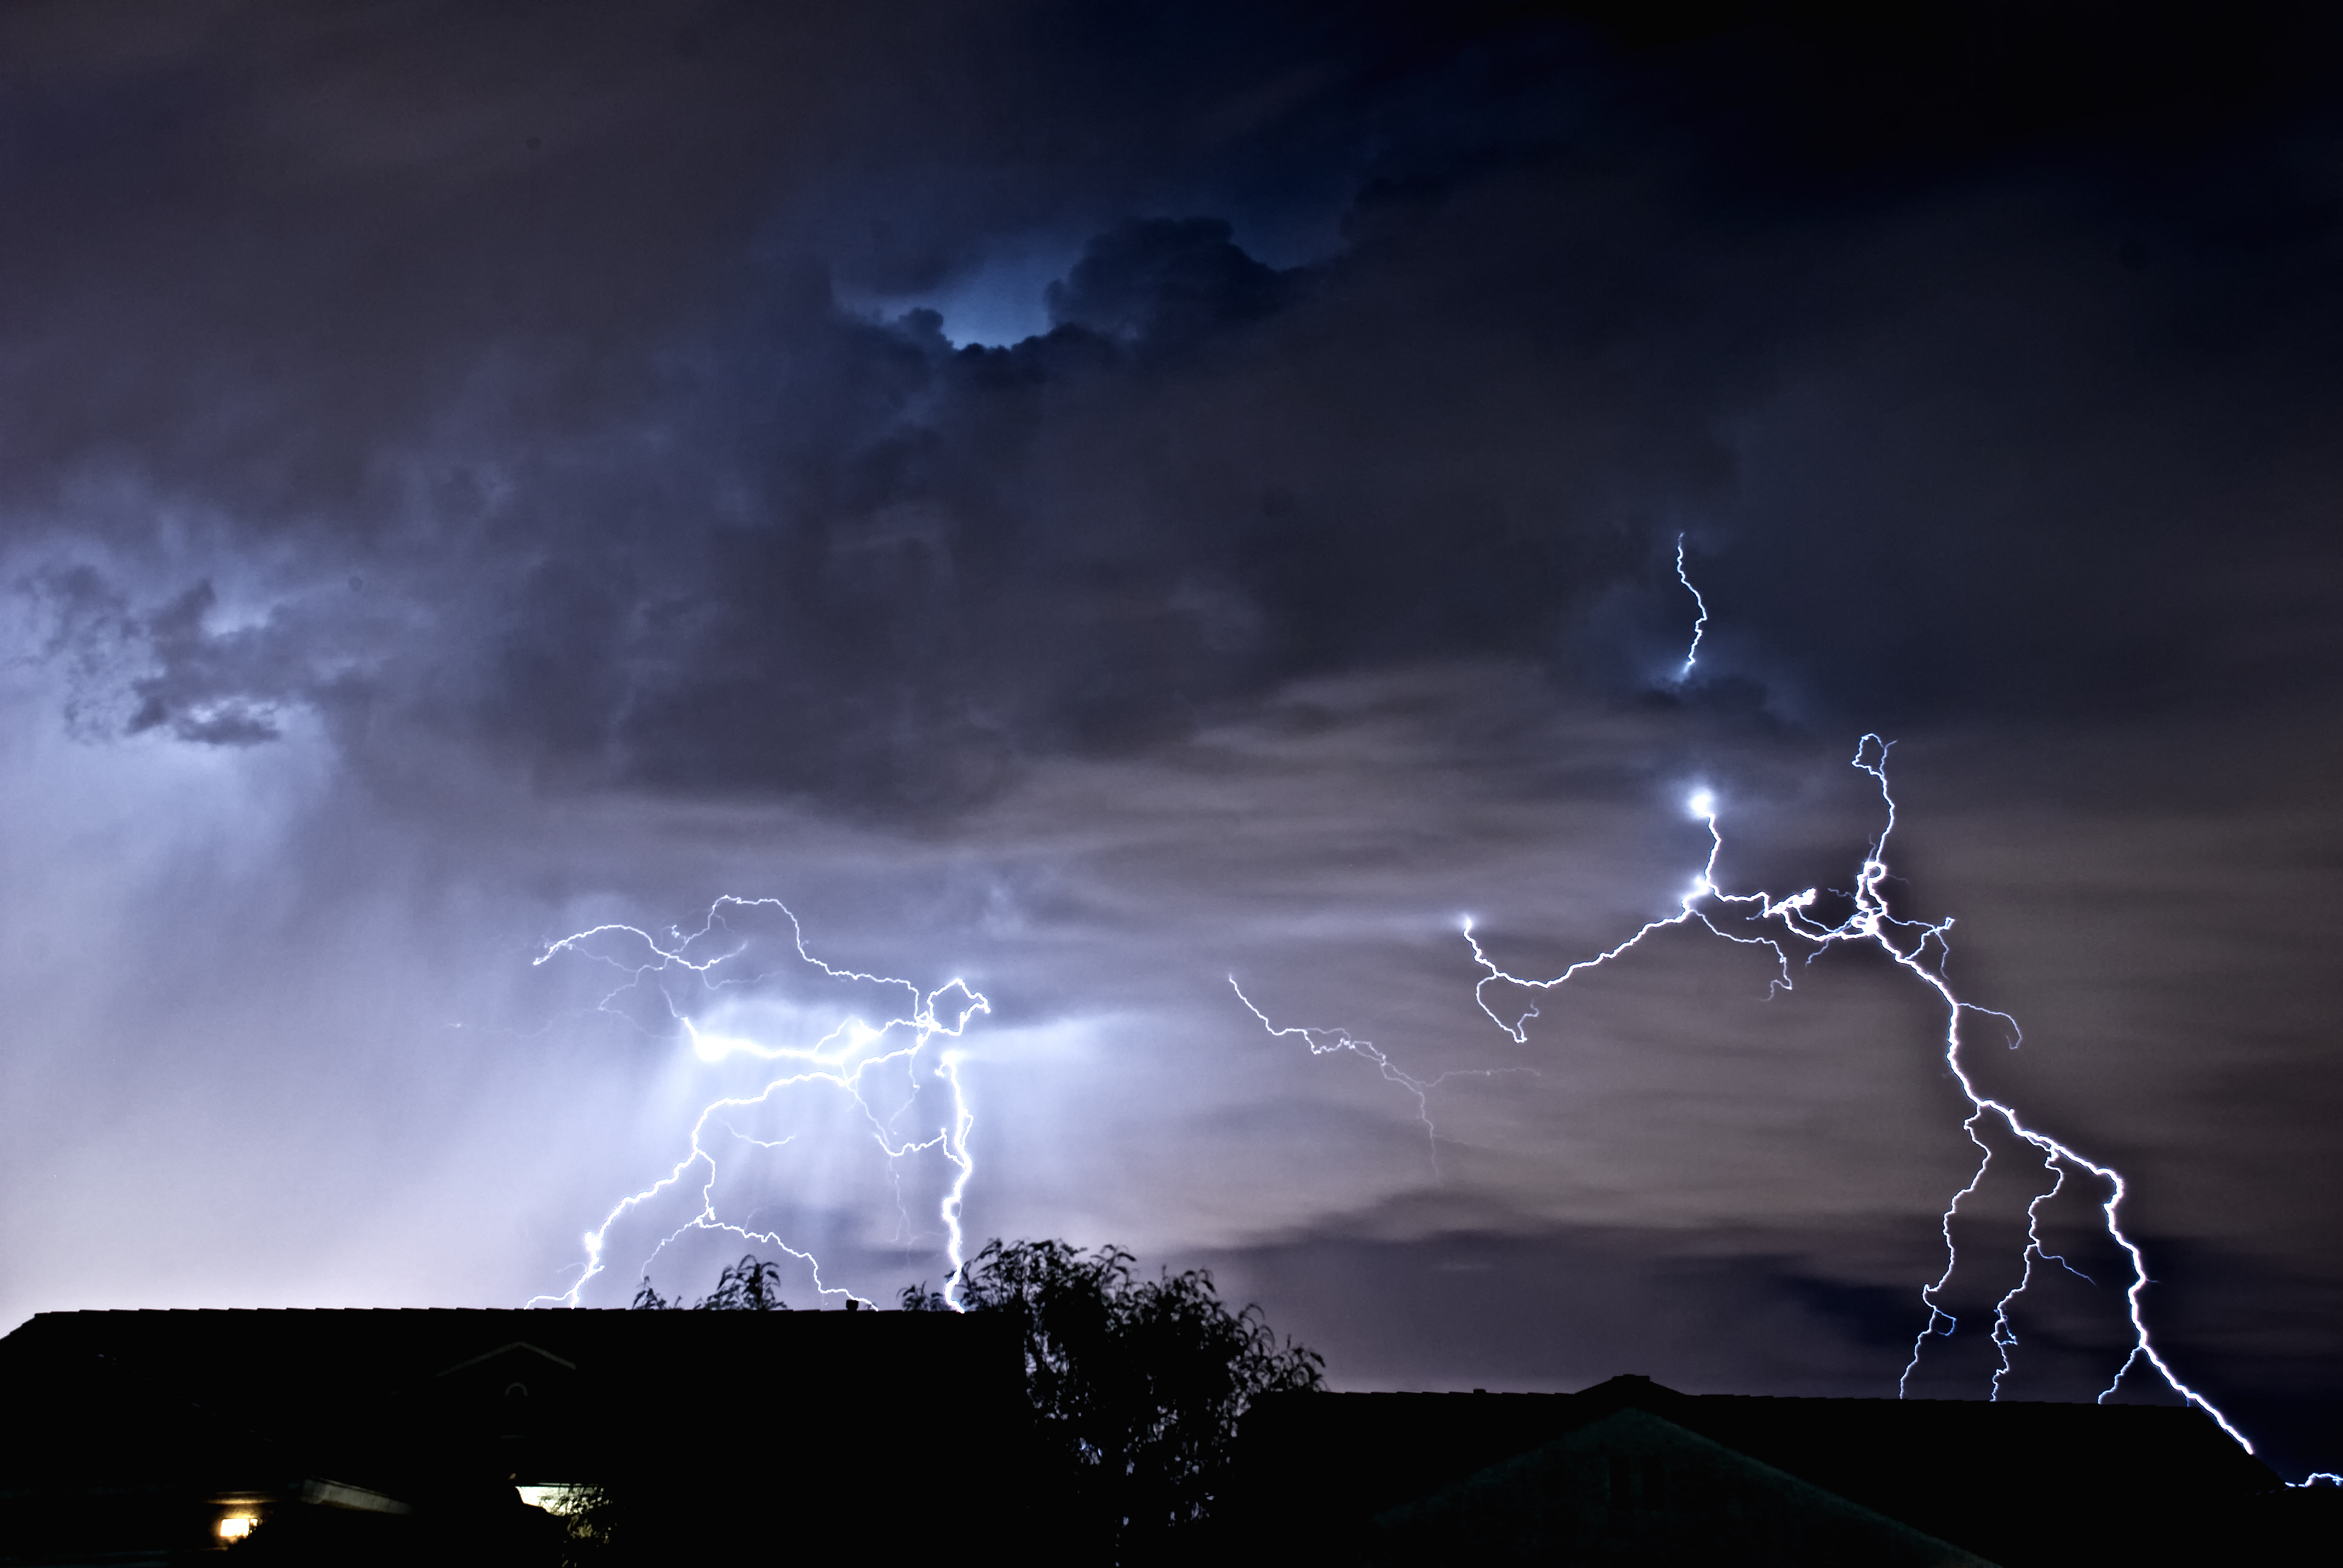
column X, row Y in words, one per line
column 1138, row 1384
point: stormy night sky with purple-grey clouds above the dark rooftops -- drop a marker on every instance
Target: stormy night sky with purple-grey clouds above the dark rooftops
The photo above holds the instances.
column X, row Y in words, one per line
column 1100, row 500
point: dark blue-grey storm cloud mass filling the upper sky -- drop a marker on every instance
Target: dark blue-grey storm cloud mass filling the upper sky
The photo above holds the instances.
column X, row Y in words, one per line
column 531, row 322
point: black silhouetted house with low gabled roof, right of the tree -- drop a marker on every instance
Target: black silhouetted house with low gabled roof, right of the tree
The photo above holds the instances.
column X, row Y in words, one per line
column 1637, row 1473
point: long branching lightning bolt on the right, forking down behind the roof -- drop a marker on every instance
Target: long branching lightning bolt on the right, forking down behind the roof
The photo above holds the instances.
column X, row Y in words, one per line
column 1920, row 948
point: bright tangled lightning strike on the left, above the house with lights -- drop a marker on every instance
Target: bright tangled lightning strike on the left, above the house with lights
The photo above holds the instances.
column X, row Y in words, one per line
column 845, row 1061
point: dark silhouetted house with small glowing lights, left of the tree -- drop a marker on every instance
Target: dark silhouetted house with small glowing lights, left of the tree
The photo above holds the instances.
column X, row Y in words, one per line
column 404, row 1436
